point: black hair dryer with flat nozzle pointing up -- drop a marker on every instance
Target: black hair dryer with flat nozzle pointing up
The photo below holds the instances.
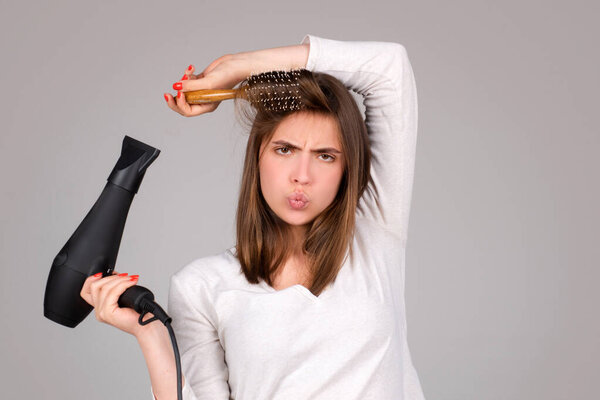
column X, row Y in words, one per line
column 94, row 245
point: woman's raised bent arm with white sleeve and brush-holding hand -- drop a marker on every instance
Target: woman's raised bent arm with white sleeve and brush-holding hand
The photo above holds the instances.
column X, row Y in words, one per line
column 380, row 72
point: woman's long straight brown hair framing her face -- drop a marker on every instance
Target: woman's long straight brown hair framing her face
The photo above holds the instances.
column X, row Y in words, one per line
column 263, row 243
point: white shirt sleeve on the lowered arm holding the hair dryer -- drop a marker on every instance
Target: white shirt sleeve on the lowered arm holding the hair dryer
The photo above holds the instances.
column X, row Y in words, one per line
column 195, row 326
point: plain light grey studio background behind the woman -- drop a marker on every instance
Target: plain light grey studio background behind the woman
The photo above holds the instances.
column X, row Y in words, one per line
column 502, row 264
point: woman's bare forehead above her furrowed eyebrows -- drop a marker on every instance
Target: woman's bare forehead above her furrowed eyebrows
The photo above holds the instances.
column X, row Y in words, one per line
column 303, row 128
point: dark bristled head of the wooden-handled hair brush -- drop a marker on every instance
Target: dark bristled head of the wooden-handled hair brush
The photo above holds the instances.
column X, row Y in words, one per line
column 274, row 90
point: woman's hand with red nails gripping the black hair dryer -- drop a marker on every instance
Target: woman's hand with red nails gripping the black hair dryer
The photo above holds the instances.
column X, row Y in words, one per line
column 103, row 294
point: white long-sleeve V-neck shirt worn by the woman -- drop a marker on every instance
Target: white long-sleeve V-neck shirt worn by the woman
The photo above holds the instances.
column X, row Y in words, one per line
column 251, row 342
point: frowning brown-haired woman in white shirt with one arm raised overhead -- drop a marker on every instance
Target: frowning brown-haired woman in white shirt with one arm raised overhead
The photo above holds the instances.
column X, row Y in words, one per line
column 309, row 304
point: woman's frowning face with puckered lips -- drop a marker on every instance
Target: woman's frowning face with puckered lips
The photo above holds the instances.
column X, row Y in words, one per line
column 302, row 161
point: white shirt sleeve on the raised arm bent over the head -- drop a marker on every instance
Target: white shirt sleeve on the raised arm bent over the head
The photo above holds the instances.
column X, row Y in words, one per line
column 382, row 74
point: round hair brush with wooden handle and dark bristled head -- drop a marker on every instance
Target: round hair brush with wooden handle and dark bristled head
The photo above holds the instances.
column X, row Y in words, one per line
column 273, row 90
